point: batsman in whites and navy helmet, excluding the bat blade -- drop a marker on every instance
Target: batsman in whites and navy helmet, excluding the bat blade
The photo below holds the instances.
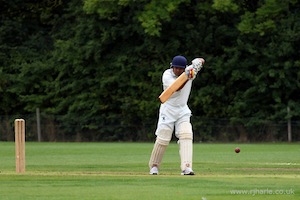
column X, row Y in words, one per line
column 175, row 114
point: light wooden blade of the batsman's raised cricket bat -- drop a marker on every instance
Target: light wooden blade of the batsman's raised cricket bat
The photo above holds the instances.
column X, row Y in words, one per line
column 167, row 93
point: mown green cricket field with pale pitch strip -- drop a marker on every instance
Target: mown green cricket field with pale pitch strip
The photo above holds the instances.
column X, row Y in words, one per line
column 120, row 171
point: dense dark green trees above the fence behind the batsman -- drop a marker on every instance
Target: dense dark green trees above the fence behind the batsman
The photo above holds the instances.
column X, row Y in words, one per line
column 97, row 64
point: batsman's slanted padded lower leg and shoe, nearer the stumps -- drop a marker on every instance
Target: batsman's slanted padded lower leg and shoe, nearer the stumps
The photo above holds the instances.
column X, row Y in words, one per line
column 163, row 137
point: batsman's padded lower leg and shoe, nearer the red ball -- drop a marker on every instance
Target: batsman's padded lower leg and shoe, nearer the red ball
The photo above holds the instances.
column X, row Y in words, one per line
column 185, row 136
